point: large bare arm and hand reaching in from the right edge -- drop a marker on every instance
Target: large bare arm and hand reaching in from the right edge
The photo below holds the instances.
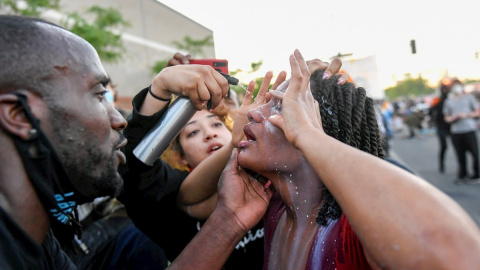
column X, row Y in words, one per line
column 402, row 221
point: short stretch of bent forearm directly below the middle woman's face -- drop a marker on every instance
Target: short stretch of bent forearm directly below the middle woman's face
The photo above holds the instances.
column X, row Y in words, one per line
column 201, row 183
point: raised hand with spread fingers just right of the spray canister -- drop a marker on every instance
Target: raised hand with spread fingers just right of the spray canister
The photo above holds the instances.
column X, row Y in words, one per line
column 262, row 97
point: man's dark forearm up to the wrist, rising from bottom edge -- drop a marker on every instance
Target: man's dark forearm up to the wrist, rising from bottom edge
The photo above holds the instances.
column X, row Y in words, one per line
column 212, row 245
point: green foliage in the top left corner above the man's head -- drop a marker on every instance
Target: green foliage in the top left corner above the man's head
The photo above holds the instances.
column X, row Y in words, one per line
column 31, row 8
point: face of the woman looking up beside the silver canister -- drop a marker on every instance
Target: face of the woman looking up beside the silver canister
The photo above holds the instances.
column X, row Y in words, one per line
column 203, row 136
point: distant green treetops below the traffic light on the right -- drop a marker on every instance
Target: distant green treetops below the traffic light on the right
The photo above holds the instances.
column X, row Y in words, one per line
column 409, row 87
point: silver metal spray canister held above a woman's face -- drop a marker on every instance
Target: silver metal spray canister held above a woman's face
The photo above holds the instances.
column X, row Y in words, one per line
column 169, row 126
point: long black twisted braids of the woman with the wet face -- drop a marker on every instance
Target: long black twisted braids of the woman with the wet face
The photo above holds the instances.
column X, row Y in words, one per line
column 348, row 115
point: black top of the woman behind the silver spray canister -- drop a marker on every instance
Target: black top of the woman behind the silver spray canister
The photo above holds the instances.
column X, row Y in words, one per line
column 150, row 195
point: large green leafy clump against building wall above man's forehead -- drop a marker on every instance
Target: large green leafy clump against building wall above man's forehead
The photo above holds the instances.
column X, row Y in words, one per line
column 109, row 45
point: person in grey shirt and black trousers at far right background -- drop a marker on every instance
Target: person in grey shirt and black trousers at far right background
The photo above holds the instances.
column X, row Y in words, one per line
column 460, row 109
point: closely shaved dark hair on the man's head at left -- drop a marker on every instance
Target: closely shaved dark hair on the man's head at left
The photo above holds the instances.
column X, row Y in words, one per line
column 27, row 53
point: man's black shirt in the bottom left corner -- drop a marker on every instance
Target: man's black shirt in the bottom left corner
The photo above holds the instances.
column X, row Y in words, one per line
column 19, row 251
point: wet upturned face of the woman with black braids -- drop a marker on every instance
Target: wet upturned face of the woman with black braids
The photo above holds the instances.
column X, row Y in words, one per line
column 266, row 149
